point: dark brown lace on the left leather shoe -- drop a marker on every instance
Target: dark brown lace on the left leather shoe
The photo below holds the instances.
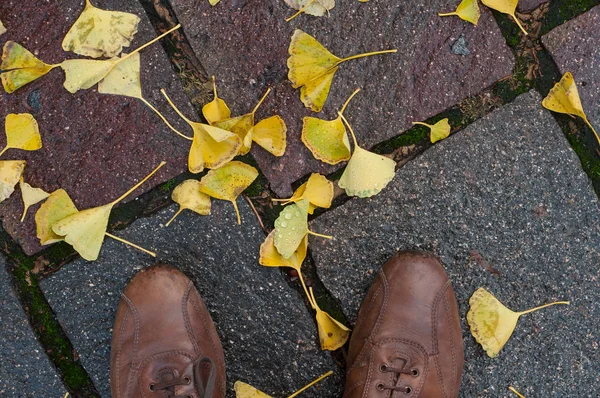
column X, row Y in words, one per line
column 204, row 381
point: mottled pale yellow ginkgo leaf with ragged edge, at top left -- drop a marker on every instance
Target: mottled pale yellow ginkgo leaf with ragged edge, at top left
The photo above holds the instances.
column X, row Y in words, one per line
column 101, row 33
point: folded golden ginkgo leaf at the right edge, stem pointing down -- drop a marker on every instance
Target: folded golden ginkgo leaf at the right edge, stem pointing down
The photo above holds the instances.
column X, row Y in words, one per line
column 564, row 98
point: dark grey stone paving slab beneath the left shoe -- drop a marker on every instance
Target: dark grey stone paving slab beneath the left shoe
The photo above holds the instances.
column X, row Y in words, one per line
column 269, row 337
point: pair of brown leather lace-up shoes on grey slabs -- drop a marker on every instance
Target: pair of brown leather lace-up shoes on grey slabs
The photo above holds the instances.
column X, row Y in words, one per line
column 407, row 341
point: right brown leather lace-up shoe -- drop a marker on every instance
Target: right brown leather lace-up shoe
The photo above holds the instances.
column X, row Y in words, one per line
column 407, row 341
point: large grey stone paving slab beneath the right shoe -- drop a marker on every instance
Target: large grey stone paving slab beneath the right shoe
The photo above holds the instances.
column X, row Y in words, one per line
column 506, row 206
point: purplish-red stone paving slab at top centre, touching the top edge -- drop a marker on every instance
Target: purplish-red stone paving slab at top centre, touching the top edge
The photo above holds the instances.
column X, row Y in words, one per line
column 245, row 44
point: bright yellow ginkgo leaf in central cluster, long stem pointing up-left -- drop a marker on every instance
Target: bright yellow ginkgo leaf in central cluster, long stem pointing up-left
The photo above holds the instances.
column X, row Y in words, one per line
column 212, row 147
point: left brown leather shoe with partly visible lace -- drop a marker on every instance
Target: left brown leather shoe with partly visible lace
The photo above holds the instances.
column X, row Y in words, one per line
column 164, row 341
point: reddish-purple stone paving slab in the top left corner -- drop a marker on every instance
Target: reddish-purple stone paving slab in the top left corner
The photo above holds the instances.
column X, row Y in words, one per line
column 95, row 146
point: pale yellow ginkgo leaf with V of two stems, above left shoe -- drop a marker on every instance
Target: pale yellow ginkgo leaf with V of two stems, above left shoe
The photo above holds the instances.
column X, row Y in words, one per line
column 85, row 230
